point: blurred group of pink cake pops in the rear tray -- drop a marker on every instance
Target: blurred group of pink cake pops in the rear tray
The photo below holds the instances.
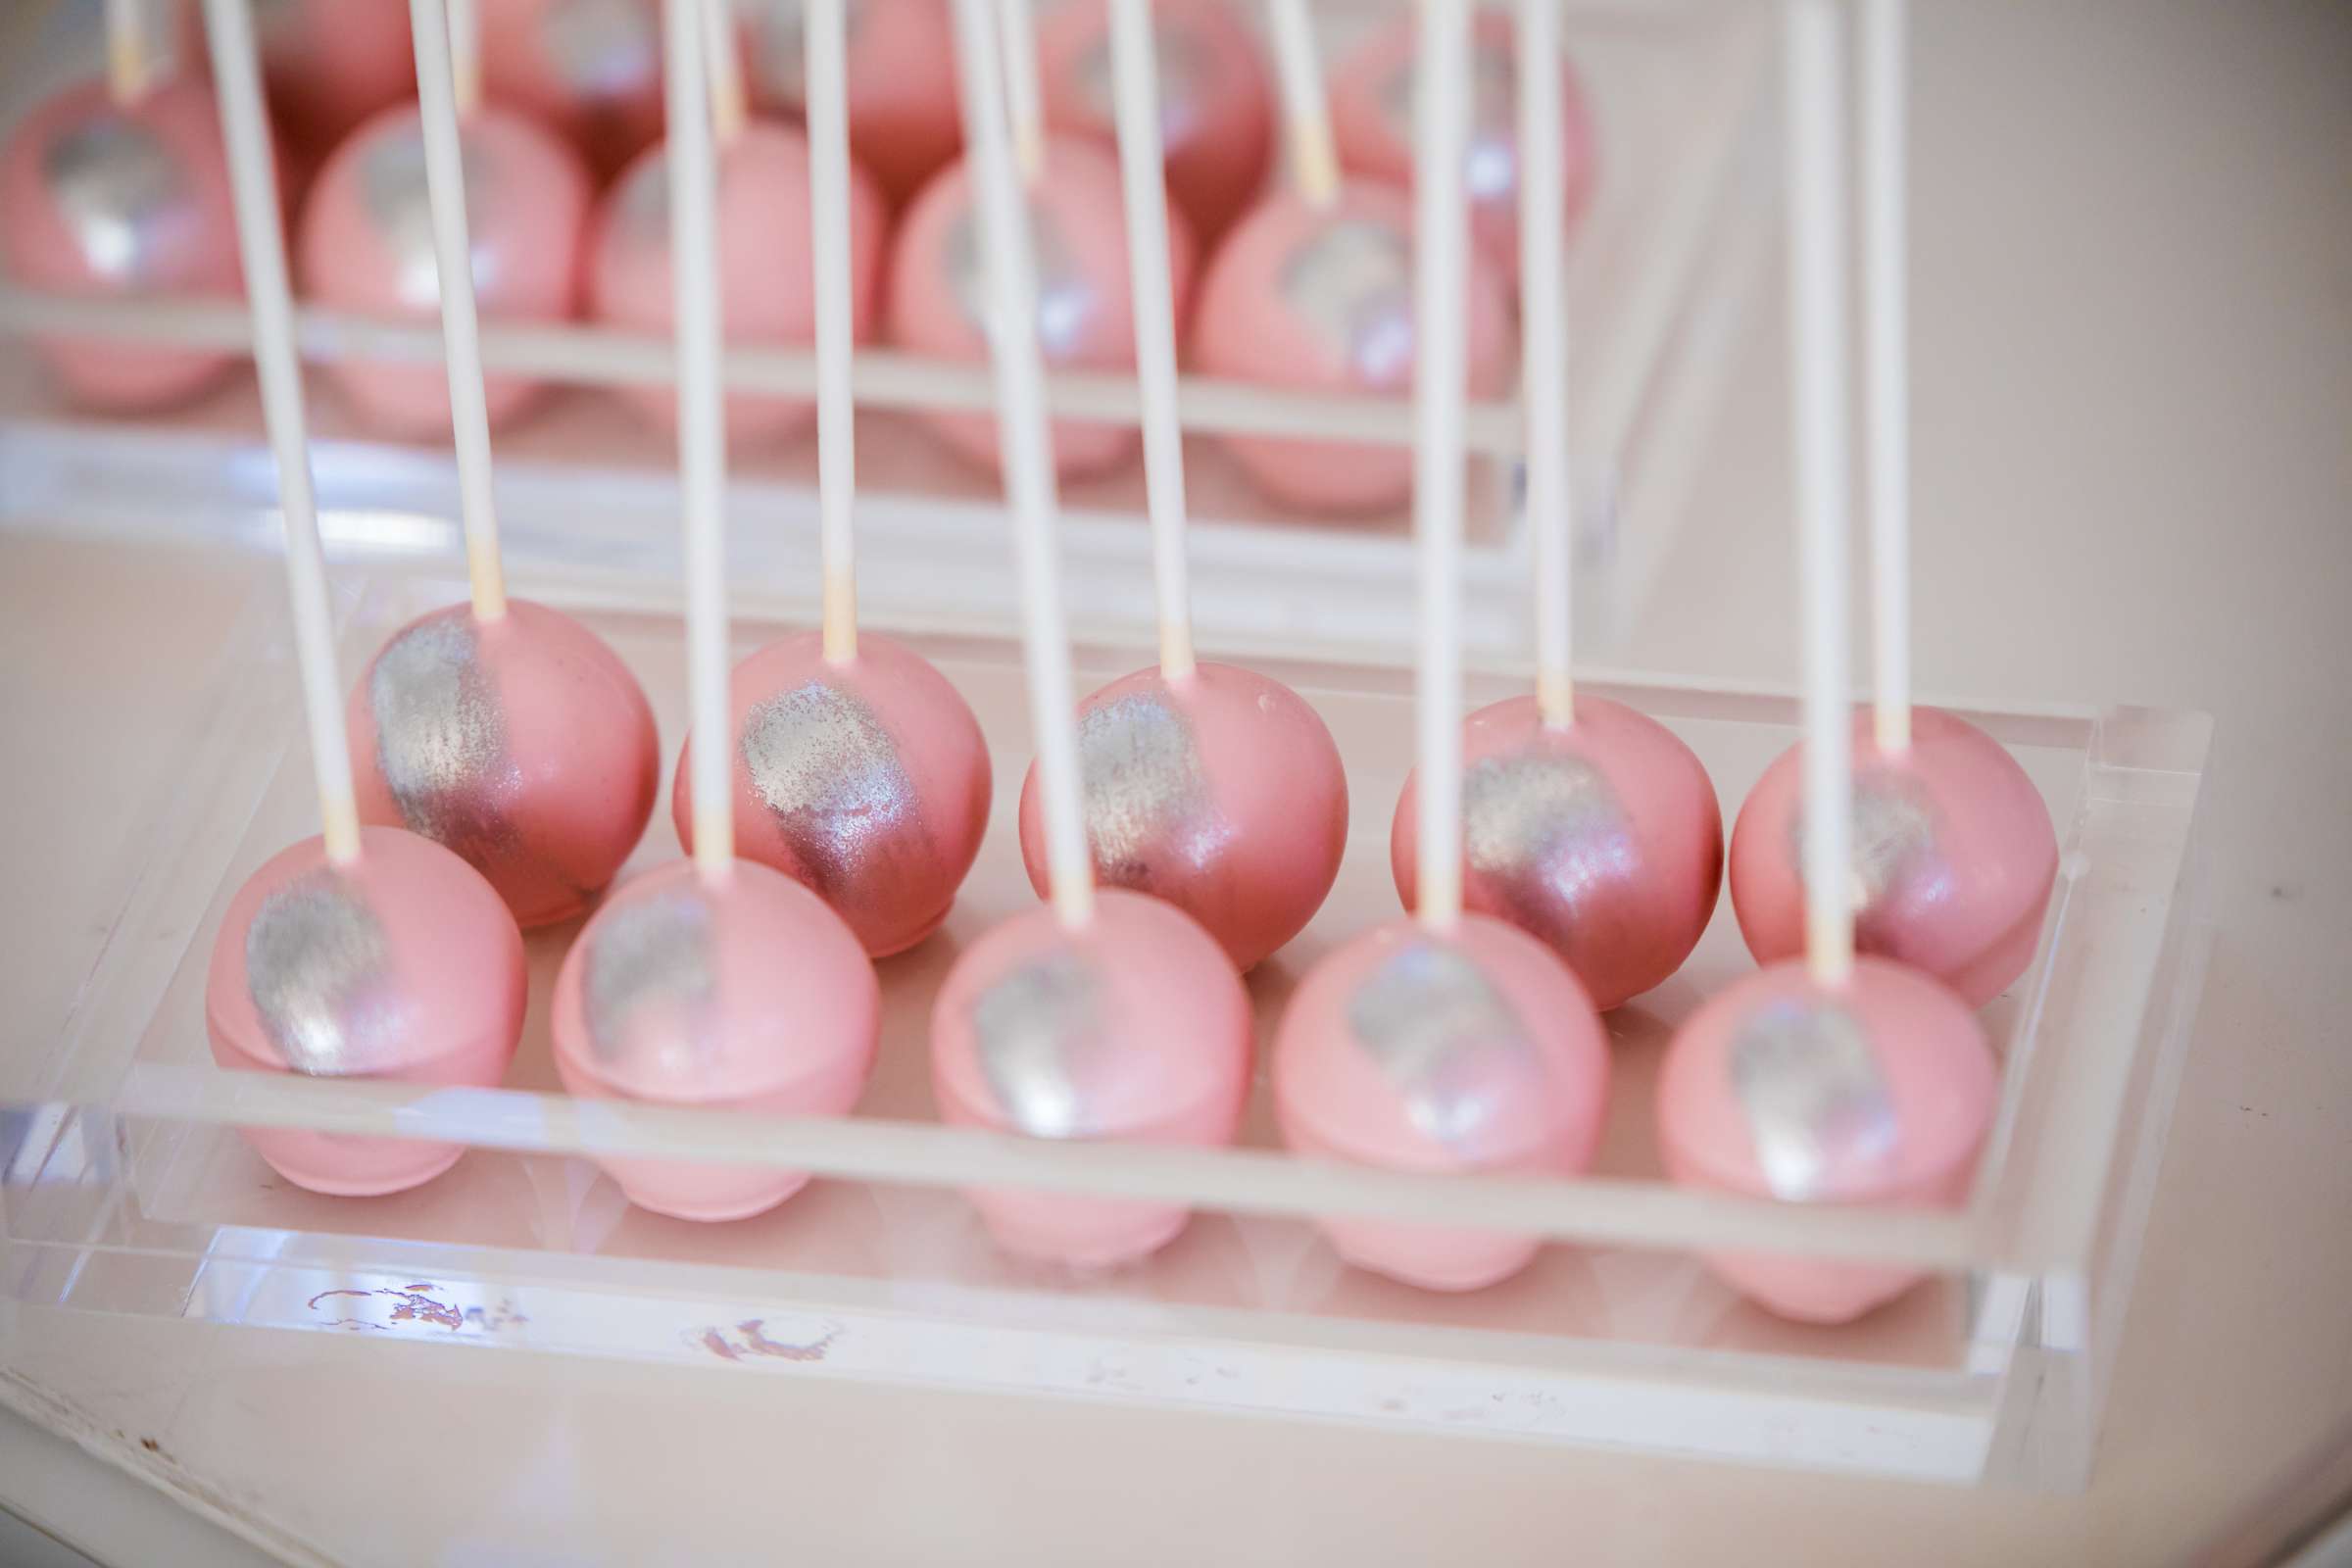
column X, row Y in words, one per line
column 119, row 189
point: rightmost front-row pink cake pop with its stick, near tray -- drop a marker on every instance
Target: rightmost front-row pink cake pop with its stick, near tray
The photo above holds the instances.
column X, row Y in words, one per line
column 1829, row 1080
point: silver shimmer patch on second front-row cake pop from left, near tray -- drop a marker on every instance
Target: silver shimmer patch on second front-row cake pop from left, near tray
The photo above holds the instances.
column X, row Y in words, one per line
column 650, row 984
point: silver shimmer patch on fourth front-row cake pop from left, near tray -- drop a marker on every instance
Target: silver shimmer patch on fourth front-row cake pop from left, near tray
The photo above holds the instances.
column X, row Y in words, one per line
column 1448, row 1040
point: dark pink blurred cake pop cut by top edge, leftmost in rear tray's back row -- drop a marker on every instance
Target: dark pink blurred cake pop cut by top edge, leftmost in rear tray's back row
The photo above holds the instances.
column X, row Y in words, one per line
column 328, row 65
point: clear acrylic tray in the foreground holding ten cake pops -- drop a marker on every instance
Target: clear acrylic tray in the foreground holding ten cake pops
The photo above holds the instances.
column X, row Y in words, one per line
column 131, row 1193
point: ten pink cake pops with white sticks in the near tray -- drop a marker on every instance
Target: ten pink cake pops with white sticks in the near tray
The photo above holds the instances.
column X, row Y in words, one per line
column 1452, row 1043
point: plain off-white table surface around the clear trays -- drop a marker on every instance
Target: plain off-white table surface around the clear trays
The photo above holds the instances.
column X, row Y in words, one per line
column 2134, row 351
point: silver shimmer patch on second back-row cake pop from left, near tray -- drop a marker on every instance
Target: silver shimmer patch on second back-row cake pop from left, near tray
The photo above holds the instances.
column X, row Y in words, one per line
column 827, row 768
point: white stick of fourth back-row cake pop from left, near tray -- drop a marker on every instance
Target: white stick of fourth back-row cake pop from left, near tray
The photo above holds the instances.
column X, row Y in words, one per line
column 1544, row 351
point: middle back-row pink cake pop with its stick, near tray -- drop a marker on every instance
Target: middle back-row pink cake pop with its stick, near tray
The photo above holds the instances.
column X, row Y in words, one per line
column 1208, row 786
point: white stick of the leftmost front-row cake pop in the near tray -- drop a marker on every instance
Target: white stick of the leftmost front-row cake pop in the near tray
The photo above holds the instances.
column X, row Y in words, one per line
column 253, row 180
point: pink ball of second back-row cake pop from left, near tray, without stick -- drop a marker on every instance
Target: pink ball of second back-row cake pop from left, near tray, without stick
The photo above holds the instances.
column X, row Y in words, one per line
column 867, row 782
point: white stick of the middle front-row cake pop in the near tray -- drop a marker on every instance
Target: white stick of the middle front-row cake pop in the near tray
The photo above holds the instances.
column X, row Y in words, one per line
column 1029, row 464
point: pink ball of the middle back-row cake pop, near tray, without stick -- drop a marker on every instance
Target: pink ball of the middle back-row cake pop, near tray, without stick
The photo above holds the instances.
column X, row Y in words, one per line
column 1220, row 793
